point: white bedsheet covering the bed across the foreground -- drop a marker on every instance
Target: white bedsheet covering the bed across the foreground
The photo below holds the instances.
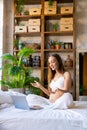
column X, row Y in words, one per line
column 70, row 119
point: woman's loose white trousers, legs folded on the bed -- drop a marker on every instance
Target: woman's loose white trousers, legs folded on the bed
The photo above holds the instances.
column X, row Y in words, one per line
column 64, row 102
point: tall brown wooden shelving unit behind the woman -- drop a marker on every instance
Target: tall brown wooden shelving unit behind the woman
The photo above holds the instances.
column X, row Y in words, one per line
column 46, row 34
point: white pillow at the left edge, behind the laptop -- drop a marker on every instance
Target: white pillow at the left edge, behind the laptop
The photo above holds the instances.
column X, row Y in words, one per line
column 5, row 98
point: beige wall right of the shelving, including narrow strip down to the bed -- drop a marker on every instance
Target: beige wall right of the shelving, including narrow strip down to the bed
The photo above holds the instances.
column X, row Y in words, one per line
column 81, row 35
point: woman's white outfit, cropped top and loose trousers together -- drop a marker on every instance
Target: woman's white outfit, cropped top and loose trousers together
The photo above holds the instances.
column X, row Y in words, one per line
column 64, row 102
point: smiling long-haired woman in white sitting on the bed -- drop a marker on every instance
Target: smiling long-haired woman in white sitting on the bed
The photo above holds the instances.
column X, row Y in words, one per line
column 59, row 84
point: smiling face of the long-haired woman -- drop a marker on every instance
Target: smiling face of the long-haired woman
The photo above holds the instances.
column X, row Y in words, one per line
column 53, row 63
